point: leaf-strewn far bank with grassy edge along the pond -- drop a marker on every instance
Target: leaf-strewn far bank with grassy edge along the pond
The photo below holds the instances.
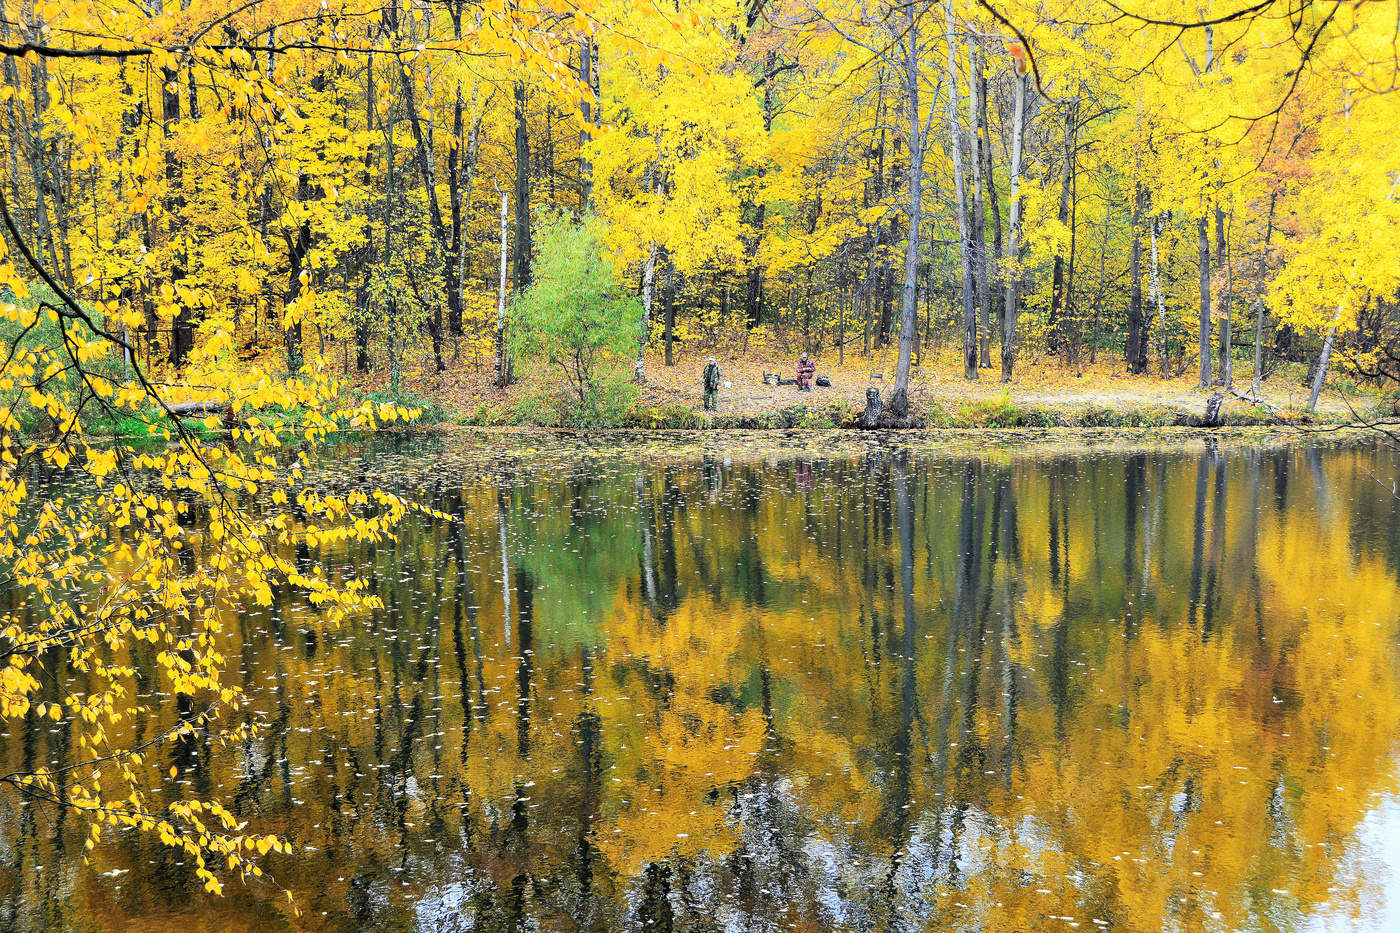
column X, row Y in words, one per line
column 1045, row 397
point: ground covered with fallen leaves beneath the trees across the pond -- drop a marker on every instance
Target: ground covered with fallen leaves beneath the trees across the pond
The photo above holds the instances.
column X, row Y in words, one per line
column 1045, row 393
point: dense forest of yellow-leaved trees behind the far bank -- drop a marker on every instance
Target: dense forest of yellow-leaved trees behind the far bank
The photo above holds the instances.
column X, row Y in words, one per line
column 1177, row 190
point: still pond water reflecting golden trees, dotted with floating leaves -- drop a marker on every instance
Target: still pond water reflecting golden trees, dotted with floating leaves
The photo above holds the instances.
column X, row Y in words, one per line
column 807, row 684
